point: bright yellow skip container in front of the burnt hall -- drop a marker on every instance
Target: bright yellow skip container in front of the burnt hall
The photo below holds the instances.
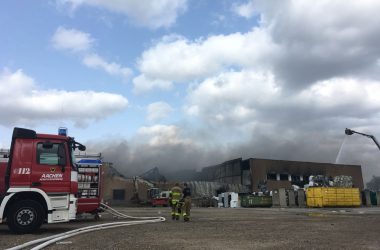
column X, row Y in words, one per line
column 332, row 197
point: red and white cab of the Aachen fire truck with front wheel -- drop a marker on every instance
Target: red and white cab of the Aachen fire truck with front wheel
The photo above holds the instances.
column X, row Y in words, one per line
column 39, row 181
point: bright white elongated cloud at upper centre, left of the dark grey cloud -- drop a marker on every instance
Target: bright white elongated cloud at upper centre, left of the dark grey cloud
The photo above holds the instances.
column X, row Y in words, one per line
column 179, row 59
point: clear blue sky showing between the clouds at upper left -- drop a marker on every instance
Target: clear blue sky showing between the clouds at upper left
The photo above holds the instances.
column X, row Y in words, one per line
column 27, row 29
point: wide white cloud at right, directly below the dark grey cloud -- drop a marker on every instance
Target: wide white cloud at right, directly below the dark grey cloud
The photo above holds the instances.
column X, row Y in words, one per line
column 238, row 100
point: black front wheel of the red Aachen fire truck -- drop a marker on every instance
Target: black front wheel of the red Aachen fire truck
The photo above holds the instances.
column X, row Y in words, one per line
column 25, row 216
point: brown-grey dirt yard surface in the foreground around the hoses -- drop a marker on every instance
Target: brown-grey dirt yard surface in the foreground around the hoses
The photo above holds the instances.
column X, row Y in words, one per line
column 223, row 228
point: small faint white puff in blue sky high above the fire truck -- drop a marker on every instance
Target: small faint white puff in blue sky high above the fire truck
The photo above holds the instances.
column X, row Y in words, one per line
column 71, row 39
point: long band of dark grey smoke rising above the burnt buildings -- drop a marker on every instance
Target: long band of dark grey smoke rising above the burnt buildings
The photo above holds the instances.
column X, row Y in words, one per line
column 314, row 146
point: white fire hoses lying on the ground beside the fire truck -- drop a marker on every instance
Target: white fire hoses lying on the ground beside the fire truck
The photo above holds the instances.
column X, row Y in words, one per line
column 46, row 241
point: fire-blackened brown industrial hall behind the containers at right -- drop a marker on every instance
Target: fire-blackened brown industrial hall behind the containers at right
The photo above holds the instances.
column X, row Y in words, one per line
column 273, row 174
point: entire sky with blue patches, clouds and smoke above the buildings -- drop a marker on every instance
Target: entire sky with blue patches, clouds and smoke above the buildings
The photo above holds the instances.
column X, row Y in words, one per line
column 201, row 82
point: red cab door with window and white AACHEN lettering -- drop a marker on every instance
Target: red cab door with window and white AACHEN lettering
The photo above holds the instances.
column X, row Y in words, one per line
column 51, row 170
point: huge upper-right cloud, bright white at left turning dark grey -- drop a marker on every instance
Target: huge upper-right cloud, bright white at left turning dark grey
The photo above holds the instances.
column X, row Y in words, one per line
column 300, row 47
